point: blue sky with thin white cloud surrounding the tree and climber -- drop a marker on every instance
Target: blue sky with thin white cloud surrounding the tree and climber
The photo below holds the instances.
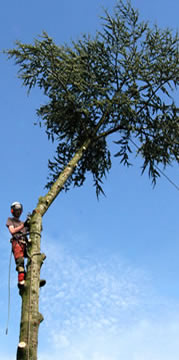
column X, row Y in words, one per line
column 112, row 265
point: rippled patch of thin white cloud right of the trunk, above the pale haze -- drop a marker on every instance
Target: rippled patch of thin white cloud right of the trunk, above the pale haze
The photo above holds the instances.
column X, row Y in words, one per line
column 87, row 293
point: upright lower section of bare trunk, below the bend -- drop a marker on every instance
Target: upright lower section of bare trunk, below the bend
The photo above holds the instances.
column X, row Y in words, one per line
column 30, row 316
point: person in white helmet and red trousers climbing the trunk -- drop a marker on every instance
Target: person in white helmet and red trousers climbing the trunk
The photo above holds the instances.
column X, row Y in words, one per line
column 18, row 229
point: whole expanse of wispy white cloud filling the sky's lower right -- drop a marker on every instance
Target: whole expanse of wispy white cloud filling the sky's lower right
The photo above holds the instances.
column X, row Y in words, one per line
column 103, row 310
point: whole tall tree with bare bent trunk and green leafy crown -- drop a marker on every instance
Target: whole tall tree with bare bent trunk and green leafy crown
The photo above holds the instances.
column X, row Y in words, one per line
column 119, row 82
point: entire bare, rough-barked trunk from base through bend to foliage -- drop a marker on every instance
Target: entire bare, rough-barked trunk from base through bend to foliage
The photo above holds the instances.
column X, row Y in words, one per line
column 30, row 315
